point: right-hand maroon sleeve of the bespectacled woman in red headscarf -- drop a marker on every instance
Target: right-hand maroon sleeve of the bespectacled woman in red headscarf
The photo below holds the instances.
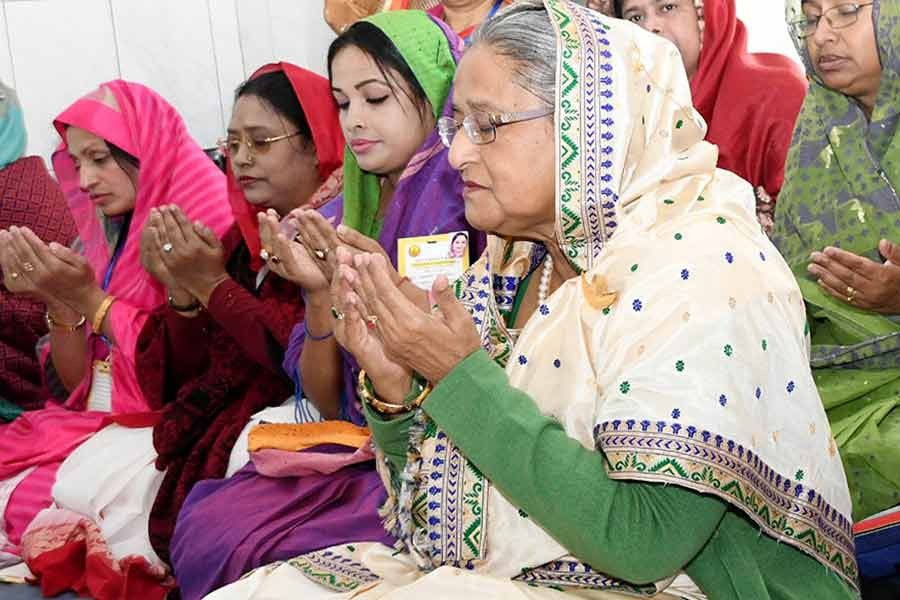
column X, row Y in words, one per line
column 262, row 325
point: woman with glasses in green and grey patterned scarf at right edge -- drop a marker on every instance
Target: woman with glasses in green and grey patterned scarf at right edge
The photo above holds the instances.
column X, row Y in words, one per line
column 838, row 226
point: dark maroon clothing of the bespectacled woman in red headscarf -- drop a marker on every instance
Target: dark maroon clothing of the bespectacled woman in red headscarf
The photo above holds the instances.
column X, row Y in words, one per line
column 208, row 375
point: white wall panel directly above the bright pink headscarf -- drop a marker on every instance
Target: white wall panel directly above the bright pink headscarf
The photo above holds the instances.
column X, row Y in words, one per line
column 167, row 45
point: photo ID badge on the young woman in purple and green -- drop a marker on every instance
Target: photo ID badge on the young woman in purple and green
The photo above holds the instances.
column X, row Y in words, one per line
column 423, row 259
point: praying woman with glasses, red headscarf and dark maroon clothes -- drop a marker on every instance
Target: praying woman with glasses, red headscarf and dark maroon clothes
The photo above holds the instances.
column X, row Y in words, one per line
column 212, row 357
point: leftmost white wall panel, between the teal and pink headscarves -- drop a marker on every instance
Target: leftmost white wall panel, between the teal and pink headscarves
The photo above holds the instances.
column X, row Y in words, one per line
column 61, row 50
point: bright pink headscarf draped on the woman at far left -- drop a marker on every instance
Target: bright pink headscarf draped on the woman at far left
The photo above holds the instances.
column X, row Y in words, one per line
column 173, row 170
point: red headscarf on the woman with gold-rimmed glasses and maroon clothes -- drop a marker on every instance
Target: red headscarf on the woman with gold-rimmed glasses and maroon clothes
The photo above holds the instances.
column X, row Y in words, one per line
column 314, row 94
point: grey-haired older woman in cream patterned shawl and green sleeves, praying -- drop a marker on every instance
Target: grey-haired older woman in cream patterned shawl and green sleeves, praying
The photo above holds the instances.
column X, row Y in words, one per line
column 633, row 327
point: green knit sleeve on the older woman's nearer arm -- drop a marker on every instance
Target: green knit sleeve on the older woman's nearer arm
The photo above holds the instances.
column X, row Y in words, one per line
column 638, row 532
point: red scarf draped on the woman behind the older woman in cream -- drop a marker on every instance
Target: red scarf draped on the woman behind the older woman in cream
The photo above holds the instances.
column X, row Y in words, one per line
column 750, row 101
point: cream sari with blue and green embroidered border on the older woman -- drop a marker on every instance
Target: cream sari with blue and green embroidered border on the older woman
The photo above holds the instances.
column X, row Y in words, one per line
column 679, row 352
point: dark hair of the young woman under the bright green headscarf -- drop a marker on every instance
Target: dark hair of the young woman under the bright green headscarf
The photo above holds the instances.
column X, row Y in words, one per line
column 374, row 42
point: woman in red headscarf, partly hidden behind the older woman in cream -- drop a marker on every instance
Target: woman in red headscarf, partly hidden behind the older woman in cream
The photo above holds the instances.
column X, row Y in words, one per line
column 750, row 101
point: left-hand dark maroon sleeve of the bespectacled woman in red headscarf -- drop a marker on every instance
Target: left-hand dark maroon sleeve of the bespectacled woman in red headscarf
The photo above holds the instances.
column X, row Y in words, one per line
column 170, row 350
